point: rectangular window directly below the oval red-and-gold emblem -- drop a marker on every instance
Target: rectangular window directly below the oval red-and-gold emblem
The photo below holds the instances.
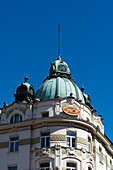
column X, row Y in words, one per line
column 71, row 139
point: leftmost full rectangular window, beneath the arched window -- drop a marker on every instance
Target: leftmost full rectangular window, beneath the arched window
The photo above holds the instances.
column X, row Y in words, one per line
column 14, row 144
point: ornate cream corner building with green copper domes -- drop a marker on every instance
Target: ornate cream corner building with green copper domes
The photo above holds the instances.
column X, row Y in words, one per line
column 56, row 128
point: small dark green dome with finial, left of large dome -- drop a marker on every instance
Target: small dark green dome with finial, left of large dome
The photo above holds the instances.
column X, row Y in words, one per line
column 24, row 92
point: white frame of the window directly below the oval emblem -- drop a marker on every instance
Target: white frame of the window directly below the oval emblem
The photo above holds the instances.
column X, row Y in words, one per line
column 71, row 138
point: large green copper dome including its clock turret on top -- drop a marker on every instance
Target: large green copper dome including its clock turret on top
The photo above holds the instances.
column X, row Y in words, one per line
column 59, row 83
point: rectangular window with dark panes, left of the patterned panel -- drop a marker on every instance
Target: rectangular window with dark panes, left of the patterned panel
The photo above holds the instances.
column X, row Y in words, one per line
column 45, row 139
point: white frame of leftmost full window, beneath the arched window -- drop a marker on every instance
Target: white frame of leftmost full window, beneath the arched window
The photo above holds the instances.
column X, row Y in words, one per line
column 14, row 144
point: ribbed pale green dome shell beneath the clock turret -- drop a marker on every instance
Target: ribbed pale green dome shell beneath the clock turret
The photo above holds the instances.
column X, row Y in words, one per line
column 59, row 87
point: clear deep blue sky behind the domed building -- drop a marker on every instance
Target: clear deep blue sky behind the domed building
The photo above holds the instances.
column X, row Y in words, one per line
column 29, row 42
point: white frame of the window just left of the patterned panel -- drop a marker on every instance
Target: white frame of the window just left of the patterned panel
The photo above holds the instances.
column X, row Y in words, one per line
column 45, row 138
